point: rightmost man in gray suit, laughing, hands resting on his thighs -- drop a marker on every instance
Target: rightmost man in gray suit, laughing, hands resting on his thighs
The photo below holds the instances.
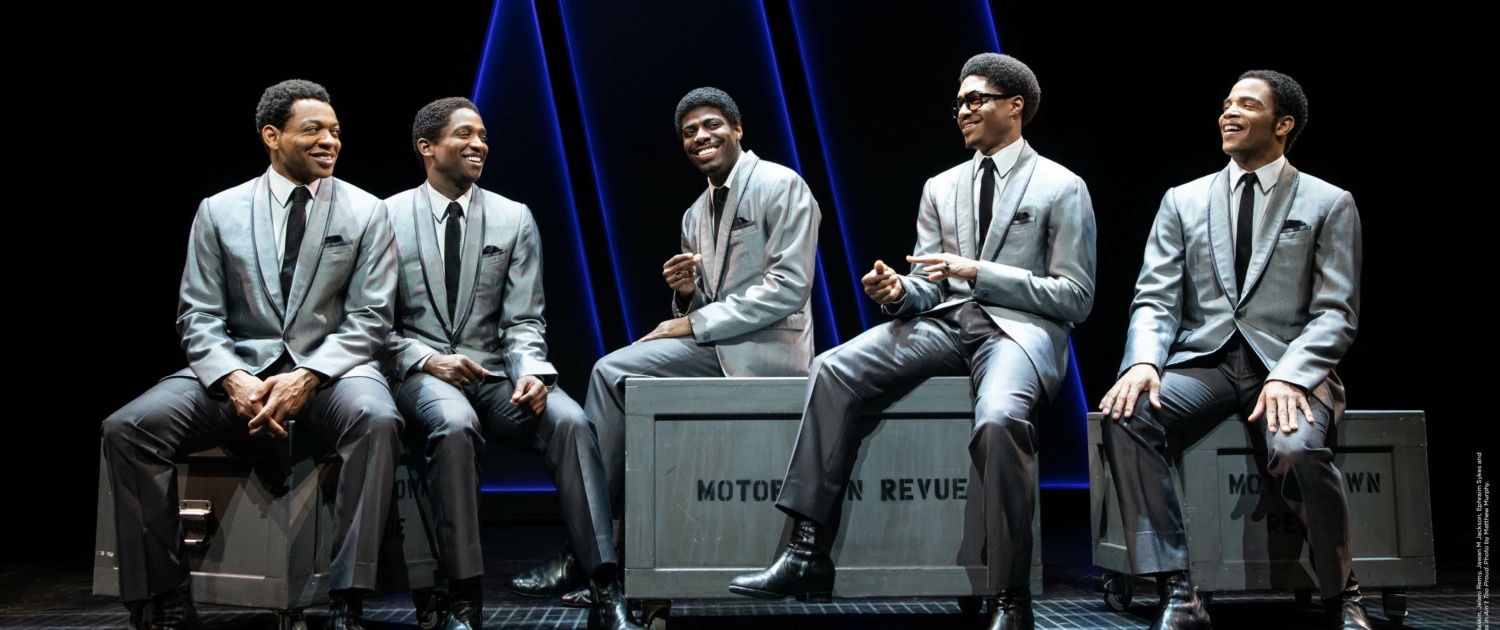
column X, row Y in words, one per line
column 1247, row 301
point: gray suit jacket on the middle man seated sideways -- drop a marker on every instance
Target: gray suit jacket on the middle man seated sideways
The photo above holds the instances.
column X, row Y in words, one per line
column 755, row 281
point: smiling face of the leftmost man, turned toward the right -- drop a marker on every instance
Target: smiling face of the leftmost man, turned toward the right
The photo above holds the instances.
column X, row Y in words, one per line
column 308, row 143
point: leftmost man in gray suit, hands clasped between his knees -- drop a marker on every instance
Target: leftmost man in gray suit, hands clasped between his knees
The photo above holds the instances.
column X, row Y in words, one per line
column 286, row 298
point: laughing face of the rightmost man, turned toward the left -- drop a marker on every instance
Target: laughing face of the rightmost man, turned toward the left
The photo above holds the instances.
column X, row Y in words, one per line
column 1250, row 130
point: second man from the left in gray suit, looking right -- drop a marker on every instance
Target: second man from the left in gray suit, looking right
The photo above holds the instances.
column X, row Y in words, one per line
column 469, row 361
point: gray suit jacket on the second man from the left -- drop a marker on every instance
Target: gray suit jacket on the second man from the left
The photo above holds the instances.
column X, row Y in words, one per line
column 499, row 322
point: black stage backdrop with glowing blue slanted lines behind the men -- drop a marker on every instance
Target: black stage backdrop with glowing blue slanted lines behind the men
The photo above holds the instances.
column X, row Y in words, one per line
column 578, row 100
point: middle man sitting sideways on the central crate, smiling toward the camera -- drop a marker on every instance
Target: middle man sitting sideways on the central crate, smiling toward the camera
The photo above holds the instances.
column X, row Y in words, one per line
column 740, row 289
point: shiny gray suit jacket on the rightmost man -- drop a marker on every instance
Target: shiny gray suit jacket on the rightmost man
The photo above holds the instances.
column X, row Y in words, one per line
column 1303, row 305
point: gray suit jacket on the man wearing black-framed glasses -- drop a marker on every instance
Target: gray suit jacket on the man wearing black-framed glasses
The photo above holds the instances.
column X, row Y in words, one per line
column 1037, row 265
